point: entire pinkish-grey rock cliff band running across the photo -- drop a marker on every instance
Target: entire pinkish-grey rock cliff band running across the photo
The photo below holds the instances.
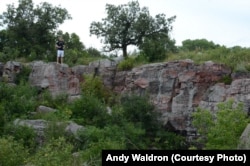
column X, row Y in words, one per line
column 176, row 88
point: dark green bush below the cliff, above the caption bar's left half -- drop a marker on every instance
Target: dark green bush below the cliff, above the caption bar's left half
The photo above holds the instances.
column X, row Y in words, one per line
column 139, row 111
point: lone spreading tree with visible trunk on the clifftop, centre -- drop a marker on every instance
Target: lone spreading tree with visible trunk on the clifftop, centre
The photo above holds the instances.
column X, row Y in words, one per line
column 128, row 24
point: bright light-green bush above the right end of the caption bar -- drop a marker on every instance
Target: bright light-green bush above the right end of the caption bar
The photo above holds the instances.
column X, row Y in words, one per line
column 223, row 131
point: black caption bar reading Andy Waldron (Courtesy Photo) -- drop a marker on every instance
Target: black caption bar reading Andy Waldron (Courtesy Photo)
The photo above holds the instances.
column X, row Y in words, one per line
column 175, row 157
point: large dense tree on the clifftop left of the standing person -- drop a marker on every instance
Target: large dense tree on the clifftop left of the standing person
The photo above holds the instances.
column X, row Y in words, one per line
column 31, row 30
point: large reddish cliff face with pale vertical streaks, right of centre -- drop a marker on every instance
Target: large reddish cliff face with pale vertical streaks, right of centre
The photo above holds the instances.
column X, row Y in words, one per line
column 176, row 88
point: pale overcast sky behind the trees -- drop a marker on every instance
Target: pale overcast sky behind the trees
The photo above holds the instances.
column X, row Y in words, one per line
column 225, row 22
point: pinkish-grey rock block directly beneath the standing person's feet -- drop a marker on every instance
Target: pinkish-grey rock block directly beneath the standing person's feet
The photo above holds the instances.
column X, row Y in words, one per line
column 56, row 78
